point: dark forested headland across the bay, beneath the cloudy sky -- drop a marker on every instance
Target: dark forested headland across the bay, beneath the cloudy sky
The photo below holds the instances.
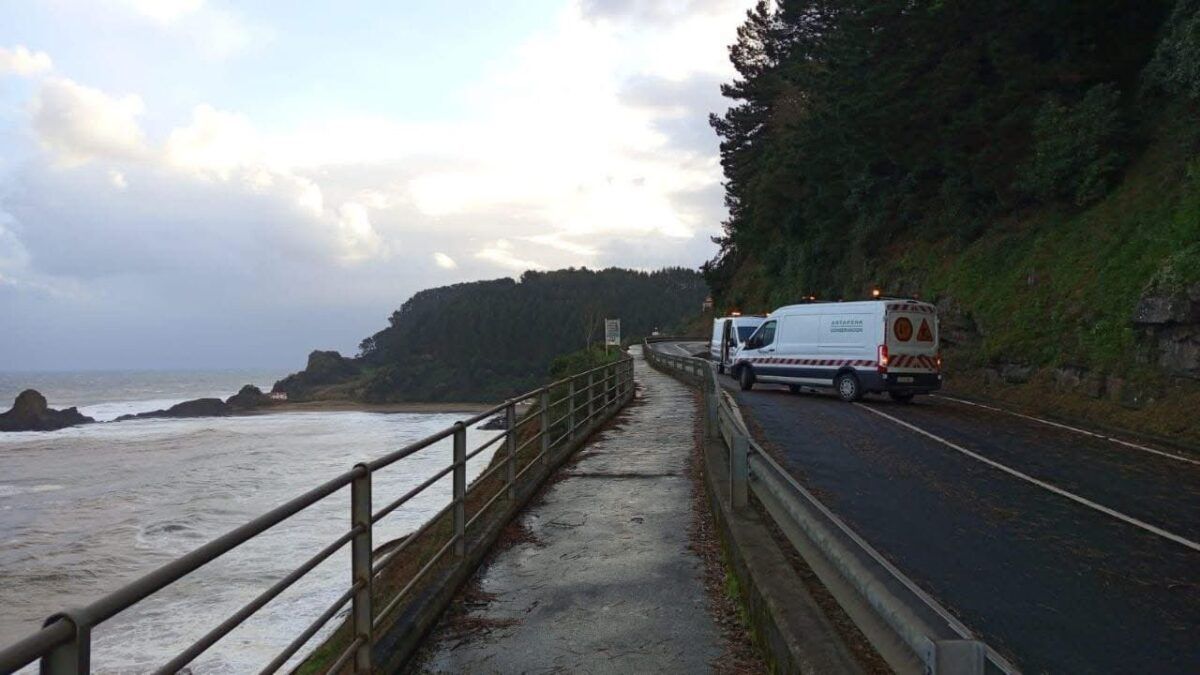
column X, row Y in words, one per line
column 488, row 341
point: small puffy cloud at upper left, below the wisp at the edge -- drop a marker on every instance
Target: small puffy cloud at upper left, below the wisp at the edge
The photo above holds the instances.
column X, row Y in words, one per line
column 79, row 123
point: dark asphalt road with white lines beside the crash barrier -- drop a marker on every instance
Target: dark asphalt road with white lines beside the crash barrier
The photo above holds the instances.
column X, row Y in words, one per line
column 1067, row 552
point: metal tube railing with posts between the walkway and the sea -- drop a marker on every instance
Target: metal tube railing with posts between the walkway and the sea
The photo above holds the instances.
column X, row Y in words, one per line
column 587, row 399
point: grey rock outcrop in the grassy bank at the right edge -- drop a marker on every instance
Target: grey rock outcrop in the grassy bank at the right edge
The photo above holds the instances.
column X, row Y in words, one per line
column 1168, row 322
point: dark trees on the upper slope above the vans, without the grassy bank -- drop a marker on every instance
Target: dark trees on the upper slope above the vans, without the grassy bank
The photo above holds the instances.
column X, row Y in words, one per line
column 856, row 123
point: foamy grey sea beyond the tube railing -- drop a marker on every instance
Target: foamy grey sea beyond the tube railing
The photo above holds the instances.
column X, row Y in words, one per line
column 87, row 510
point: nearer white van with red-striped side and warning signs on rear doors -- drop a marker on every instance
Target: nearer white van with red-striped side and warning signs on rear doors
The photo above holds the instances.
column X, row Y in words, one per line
column 874, row 347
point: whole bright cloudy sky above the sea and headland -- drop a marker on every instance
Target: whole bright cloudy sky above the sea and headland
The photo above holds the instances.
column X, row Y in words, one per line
column 217, row 184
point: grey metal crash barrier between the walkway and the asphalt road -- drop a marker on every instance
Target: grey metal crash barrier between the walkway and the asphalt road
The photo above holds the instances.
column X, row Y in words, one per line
column 909, row 629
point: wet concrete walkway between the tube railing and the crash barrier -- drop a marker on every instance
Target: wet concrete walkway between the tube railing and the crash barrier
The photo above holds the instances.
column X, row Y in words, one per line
column 608, row 583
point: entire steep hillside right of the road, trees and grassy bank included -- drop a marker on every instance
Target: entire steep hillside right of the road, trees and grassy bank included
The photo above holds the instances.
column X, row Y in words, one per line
column 1031, row 168
